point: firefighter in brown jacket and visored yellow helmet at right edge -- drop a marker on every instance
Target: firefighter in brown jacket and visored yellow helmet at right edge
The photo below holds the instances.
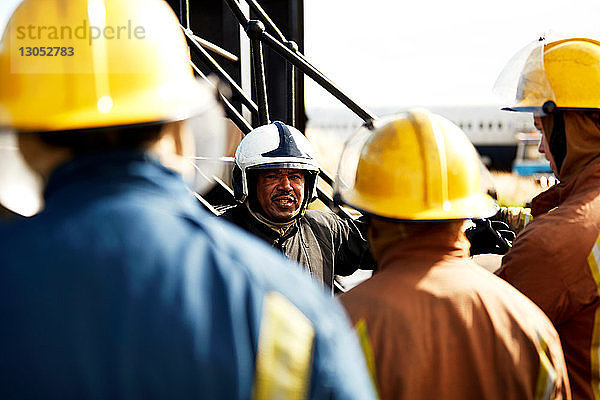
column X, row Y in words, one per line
column 554, row 260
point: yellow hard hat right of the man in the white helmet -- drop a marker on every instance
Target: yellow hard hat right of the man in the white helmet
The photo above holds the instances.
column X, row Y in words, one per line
column 413, row 166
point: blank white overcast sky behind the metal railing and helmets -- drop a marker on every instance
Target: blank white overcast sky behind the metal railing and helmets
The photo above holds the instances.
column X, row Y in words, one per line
column 423, row 52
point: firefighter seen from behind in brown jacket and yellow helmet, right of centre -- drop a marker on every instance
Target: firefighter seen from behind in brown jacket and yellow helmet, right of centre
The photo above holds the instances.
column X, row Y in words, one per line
column 435, row 324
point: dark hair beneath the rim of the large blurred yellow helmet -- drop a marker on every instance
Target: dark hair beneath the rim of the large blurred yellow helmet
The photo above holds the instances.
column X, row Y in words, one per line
column 100, row 140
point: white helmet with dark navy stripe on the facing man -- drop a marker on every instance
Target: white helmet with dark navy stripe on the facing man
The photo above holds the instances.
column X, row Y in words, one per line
column 272, row 146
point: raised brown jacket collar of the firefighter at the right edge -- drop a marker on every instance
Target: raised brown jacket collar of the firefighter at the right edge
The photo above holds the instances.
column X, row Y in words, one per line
column 558, row 193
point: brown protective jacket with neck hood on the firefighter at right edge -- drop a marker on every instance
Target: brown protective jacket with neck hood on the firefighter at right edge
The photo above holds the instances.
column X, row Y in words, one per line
column 554, row 261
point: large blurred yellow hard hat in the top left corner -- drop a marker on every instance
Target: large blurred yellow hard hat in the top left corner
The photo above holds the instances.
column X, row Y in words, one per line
column 74, row 64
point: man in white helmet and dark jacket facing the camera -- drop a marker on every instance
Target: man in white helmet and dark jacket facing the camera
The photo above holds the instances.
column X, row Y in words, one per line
column 274, row 179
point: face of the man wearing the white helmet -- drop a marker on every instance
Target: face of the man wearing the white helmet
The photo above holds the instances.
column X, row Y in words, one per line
column 280, row 193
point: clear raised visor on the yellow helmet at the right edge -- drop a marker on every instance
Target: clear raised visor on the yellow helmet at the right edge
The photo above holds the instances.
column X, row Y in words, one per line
column 523, row 84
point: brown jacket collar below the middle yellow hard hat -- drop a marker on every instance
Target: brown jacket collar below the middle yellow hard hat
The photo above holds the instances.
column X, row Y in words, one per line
column 424, row 249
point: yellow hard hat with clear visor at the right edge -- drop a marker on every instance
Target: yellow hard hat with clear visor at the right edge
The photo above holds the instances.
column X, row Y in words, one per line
column 545, row 76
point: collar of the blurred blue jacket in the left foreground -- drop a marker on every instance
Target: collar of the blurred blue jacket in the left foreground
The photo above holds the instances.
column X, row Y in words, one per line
column 88, row 177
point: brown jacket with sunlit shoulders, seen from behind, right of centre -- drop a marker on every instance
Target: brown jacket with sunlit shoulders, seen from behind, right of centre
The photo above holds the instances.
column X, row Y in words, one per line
column 441, row 327
